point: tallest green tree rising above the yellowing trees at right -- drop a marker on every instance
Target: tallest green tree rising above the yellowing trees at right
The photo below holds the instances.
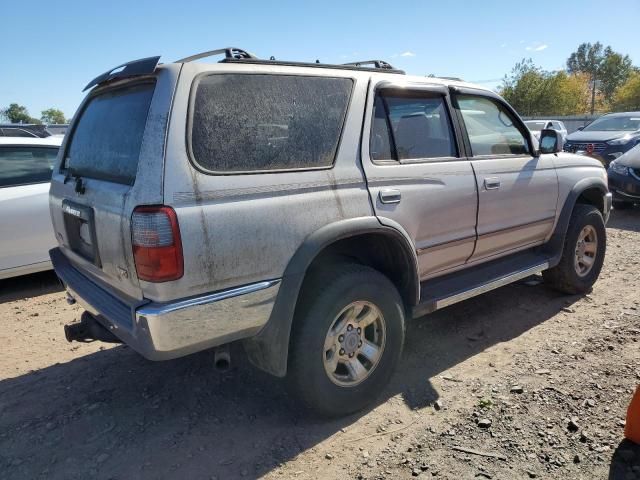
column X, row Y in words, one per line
column 607, row 69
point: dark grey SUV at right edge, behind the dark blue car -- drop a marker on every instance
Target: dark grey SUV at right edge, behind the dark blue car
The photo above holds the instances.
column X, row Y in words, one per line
column 607, row 137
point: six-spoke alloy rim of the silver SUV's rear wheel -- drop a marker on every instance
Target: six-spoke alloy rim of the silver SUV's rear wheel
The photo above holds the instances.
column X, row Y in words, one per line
column 354, row 344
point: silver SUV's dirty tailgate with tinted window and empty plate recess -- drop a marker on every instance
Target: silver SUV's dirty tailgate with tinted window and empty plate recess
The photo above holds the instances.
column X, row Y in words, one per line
column 111, row 162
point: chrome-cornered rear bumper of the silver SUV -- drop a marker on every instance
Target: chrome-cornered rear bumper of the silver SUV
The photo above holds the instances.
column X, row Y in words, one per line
column 161, row 331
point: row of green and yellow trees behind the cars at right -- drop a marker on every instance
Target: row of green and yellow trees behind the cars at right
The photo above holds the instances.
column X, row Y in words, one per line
column 596, row 80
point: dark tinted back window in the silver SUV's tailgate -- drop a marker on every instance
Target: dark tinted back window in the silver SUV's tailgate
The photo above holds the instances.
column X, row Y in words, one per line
column 106, row 141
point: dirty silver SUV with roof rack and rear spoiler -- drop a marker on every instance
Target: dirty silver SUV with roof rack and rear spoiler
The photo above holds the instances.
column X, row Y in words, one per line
column 308, row 210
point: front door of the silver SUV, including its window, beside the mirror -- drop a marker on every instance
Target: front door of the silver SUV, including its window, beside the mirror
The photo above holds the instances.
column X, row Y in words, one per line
column 517, row 191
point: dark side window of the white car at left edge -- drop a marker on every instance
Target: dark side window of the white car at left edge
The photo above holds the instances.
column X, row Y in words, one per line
column 25, row 165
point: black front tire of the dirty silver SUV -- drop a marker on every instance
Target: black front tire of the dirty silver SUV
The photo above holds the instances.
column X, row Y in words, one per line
column 566, row 277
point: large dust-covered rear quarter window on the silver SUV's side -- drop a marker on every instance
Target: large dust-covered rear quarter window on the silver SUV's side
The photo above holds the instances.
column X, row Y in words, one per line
column 267, row 122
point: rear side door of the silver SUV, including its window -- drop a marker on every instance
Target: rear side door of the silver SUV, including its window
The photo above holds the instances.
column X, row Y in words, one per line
column 417, row 177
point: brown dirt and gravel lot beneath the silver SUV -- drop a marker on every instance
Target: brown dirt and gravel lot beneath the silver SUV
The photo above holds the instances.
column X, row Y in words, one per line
column 537, row 380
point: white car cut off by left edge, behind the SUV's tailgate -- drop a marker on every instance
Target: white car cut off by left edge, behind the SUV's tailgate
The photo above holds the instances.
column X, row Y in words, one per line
column 26, row 235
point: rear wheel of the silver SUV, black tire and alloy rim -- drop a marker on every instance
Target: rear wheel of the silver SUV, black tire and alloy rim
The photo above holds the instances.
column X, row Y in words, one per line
column 331, row 299
